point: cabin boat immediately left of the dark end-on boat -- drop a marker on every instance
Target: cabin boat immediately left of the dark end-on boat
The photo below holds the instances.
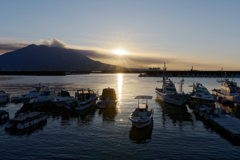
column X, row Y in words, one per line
column 84, row 98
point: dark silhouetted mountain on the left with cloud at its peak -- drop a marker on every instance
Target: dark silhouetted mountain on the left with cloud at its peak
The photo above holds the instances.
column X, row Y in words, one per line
column 36, row 58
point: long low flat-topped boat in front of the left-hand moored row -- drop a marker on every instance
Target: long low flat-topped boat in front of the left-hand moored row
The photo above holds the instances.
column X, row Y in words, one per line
column 26, row 120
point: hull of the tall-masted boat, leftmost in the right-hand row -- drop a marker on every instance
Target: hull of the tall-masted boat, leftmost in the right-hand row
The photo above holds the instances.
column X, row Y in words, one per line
column 177, row 99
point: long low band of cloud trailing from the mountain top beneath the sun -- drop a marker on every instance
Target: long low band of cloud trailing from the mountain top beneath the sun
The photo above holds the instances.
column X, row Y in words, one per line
column 104, row 56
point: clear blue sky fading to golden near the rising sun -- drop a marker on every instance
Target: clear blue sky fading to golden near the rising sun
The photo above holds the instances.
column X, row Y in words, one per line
column 204, row 34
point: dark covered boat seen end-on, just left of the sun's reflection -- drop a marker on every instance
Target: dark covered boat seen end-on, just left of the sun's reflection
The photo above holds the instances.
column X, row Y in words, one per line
column 108, row 99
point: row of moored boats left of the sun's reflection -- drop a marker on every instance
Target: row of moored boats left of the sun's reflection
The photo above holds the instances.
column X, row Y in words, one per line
column 41, row 95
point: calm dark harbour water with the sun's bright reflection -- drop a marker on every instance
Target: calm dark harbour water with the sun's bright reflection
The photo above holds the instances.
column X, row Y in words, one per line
column 108, row 134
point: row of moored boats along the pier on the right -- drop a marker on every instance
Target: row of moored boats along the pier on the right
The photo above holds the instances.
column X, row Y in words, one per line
column 229, row 92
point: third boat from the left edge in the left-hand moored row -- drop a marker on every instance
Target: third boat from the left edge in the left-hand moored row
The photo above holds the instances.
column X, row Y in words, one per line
column 44, row 99
